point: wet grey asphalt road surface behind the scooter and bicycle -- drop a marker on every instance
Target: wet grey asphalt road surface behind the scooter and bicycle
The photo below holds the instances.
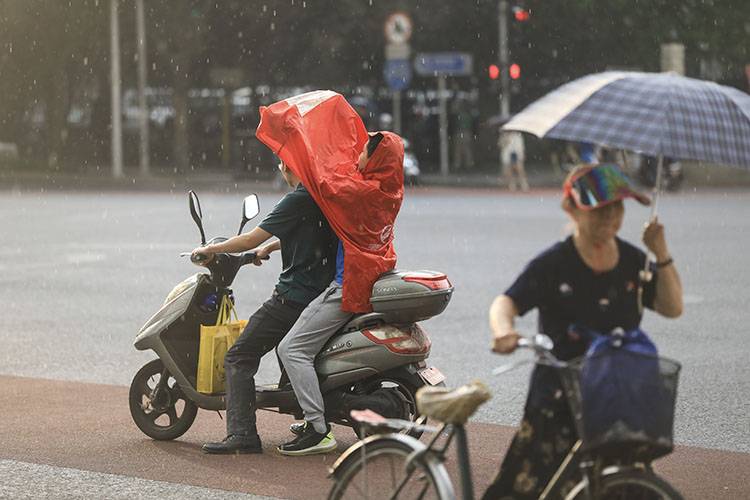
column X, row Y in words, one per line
column 81, row 271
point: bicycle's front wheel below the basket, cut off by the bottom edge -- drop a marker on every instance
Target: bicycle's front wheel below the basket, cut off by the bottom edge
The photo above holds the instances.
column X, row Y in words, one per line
column 629, row 485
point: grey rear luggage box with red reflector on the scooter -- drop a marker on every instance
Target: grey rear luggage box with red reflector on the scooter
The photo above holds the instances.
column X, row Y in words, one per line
column 409, row 296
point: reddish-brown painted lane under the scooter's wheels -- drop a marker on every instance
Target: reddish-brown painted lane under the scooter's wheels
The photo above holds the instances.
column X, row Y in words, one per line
column 88, row 427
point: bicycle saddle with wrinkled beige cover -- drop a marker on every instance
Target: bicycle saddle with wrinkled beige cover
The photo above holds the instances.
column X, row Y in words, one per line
column 452, row 406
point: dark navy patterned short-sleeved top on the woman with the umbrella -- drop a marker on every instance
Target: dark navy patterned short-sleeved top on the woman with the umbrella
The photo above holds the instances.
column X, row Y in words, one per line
column 567, row 292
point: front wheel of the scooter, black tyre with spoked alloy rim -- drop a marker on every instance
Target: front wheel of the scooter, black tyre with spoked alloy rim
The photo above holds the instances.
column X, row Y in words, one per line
column 157, row 404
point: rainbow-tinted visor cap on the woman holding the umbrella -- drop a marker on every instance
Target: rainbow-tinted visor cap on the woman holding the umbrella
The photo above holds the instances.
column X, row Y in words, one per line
column 600, row 185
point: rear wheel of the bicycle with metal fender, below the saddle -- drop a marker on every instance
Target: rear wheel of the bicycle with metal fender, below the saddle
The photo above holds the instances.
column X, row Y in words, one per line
column 384, row 471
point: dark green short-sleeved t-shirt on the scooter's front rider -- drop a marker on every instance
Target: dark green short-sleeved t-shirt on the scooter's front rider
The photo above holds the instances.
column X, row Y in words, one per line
column 308, row 246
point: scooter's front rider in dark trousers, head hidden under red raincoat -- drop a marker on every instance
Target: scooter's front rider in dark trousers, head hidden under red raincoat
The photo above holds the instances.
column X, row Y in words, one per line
column 308, row 252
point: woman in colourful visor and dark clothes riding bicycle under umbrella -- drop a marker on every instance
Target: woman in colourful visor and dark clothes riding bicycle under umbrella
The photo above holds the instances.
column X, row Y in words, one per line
column 591, row 279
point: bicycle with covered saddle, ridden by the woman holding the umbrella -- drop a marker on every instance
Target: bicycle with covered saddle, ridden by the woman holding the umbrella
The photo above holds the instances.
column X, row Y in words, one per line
column 391, row 465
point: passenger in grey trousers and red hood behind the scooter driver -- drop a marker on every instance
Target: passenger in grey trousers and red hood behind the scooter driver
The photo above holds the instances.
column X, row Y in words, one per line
column 380, row 162
